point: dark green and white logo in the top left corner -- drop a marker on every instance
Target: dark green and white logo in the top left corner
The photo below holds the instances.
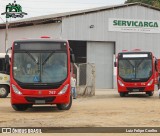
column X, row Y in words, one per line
column 14, row 10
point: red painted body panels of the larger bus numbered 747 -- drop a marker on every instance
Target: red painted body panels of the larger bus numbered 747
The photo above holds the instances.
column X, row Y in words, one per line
column 41, row 93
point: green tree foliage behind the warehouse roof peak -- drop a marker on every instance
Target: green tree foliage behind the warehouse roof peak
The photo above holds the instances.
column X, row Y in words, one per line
column 155, row 3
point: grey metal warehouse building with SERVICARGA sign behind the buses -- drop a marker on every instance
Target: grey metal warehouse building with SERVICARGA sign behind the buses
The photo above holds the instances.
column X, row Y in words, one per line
column 96, row 35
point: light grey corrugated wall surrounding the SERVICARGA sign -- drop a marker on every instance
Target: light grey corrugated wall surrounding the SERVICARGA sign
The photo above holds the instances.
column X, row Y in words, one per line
column 78, row 28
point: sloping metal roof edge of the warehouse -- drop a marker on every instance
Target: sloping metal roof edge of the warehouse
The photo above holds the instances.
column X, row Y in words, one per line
column 57, row 18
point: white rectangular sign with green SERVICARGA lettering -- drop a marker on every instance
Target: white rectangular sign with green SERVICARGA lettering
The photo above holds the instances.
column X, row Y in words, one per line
column 133, row 25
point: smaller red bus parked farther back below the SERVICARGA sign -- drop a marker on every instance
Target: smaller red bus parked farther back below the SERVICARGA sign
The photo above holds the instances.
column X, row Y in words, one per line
column 135, row 72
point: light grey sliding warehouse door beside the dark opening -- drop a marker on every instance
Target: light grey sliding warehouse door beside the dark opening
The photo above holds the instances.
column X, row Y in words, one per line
column 101, row 53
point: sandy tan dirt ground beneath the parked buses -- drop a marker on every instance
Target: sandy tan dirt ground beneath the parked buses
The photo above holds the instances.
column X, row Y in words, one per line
column 106, row 109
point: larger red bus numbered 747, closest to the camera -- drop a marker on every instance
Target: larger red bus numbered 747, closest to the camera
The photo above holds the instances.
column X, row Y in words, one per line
column 40, row 73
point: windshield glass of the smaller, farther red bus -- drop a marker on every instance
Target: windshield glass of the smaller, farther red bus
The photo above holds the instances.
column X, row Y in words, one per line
column 135, row 69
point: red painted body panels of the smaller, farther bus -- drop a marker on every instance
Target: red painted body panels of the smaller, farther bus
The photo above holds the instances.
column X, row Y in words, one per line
column 140, row 86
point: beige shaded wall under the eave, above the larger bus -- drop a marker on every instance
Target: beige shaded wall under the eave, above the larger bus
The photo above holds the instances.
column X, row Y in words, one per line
column 52, row 30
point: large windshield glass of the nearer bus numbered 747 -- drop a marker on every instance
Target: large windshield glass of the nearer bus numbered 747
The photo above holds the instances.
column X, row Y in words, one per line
column 40, row 62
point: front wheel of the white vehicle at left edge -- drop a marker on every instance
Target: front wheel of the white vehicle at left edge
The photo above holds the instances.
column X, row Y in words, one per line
column 4, row 91
